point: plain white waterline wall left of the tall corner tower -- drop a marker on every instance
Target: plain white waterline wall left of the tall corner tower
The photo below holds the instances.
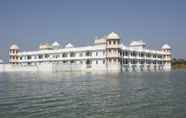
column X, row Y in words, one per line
column 52, row 67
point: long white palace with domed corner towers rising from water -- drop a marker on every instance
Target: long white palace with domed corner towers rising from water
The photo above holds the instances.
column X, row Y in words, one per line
column 106, row 54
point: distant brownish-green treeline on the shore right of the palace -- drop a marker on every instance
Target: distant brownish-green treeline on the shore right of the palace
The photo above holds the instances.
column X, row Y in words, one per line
column 179, row 63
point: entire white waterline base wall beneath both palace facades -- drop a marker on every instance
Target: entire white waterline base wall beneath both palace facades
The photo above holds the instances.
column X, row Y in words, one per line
column 82, row 67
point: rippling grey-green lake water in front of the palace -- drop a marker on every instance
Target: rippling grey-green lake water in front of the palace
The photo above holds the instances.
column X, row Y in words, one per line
column 90, row 95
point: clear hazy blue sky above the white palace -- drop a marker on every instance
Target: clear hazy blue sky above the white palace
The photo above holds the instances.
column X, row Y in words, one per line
column 31, row 22
